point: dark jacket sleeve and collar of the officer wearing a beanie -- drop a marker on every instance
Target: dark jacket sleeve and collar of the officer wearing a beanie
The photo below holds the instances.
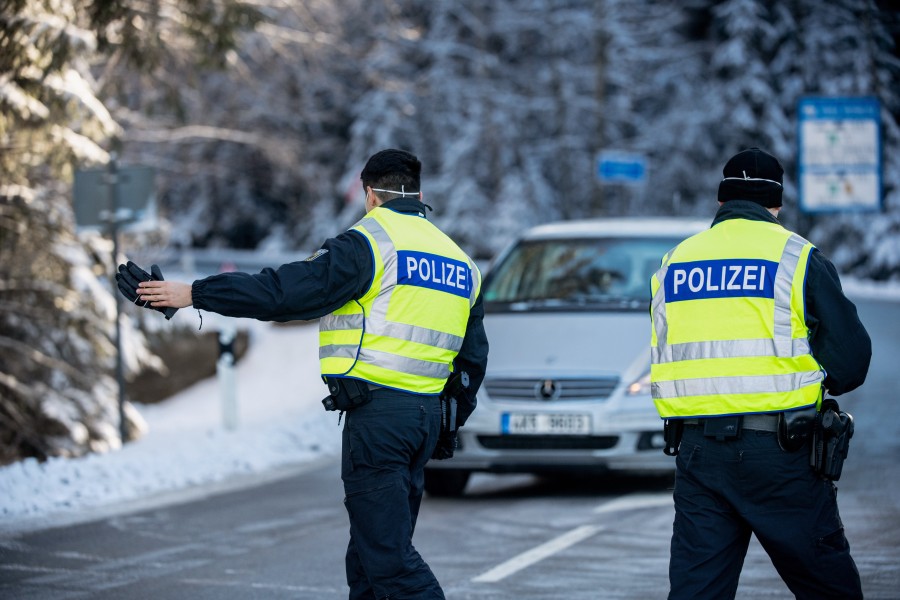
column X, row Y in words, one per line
column 838, row 339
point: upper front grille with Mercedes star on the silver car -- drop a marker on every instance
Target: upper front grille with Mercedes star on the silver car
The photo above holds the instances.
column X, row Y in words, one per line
column 551, row 389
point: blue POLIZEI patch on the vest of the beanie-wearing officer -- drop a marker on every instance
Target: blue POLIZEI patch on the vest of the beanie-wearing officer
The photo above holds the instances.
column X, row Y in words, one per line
column 727, row 278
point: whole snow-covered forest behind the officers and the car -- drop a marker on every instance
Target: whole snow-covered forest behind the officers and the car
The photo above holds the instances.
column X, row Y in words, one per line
column 257, row 116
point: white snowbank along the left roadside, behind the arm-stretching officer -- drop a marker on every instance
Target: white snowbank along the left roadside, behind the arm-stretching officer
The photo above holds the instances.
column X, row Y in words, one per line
column 281, row 423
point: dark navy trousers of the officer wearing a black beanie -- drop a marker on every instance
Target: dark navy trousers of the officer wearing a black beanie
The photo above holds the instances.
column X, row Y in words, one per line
column 724, row 491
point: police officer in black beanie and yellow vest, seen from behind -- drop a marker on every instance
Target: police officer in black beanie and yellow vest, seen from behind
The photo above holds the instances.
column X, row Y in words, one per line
column 749, row 329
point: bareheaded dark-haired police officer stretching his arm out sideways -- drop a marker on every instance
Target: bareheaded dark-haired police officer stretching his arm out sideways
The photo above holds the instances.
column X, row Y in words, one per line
column 400, row 312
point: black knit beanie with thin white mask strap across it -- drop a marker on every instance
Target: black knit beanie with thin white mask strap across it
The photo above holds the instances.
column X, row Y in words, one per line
column 752, row 175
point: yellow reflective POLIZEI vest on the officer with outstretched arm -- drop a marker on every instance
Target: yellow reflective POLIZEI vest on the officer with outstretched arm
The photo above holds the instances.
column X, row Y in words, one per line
column 409, row 326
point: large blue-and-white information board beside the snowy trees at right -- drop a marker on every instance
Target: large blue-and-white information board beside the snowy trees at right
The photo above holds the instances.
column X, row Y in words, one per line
column 839, row 165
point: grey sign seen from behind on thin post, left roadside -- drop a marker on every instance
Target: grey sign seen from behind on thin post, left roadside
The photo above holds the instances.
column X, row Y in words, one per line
column 111, row 199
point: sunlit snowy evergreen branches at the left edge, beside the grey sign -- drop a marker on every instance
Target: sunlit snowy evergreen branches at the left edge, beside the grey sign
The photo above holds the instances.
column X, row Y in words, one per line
column 57, row 315
